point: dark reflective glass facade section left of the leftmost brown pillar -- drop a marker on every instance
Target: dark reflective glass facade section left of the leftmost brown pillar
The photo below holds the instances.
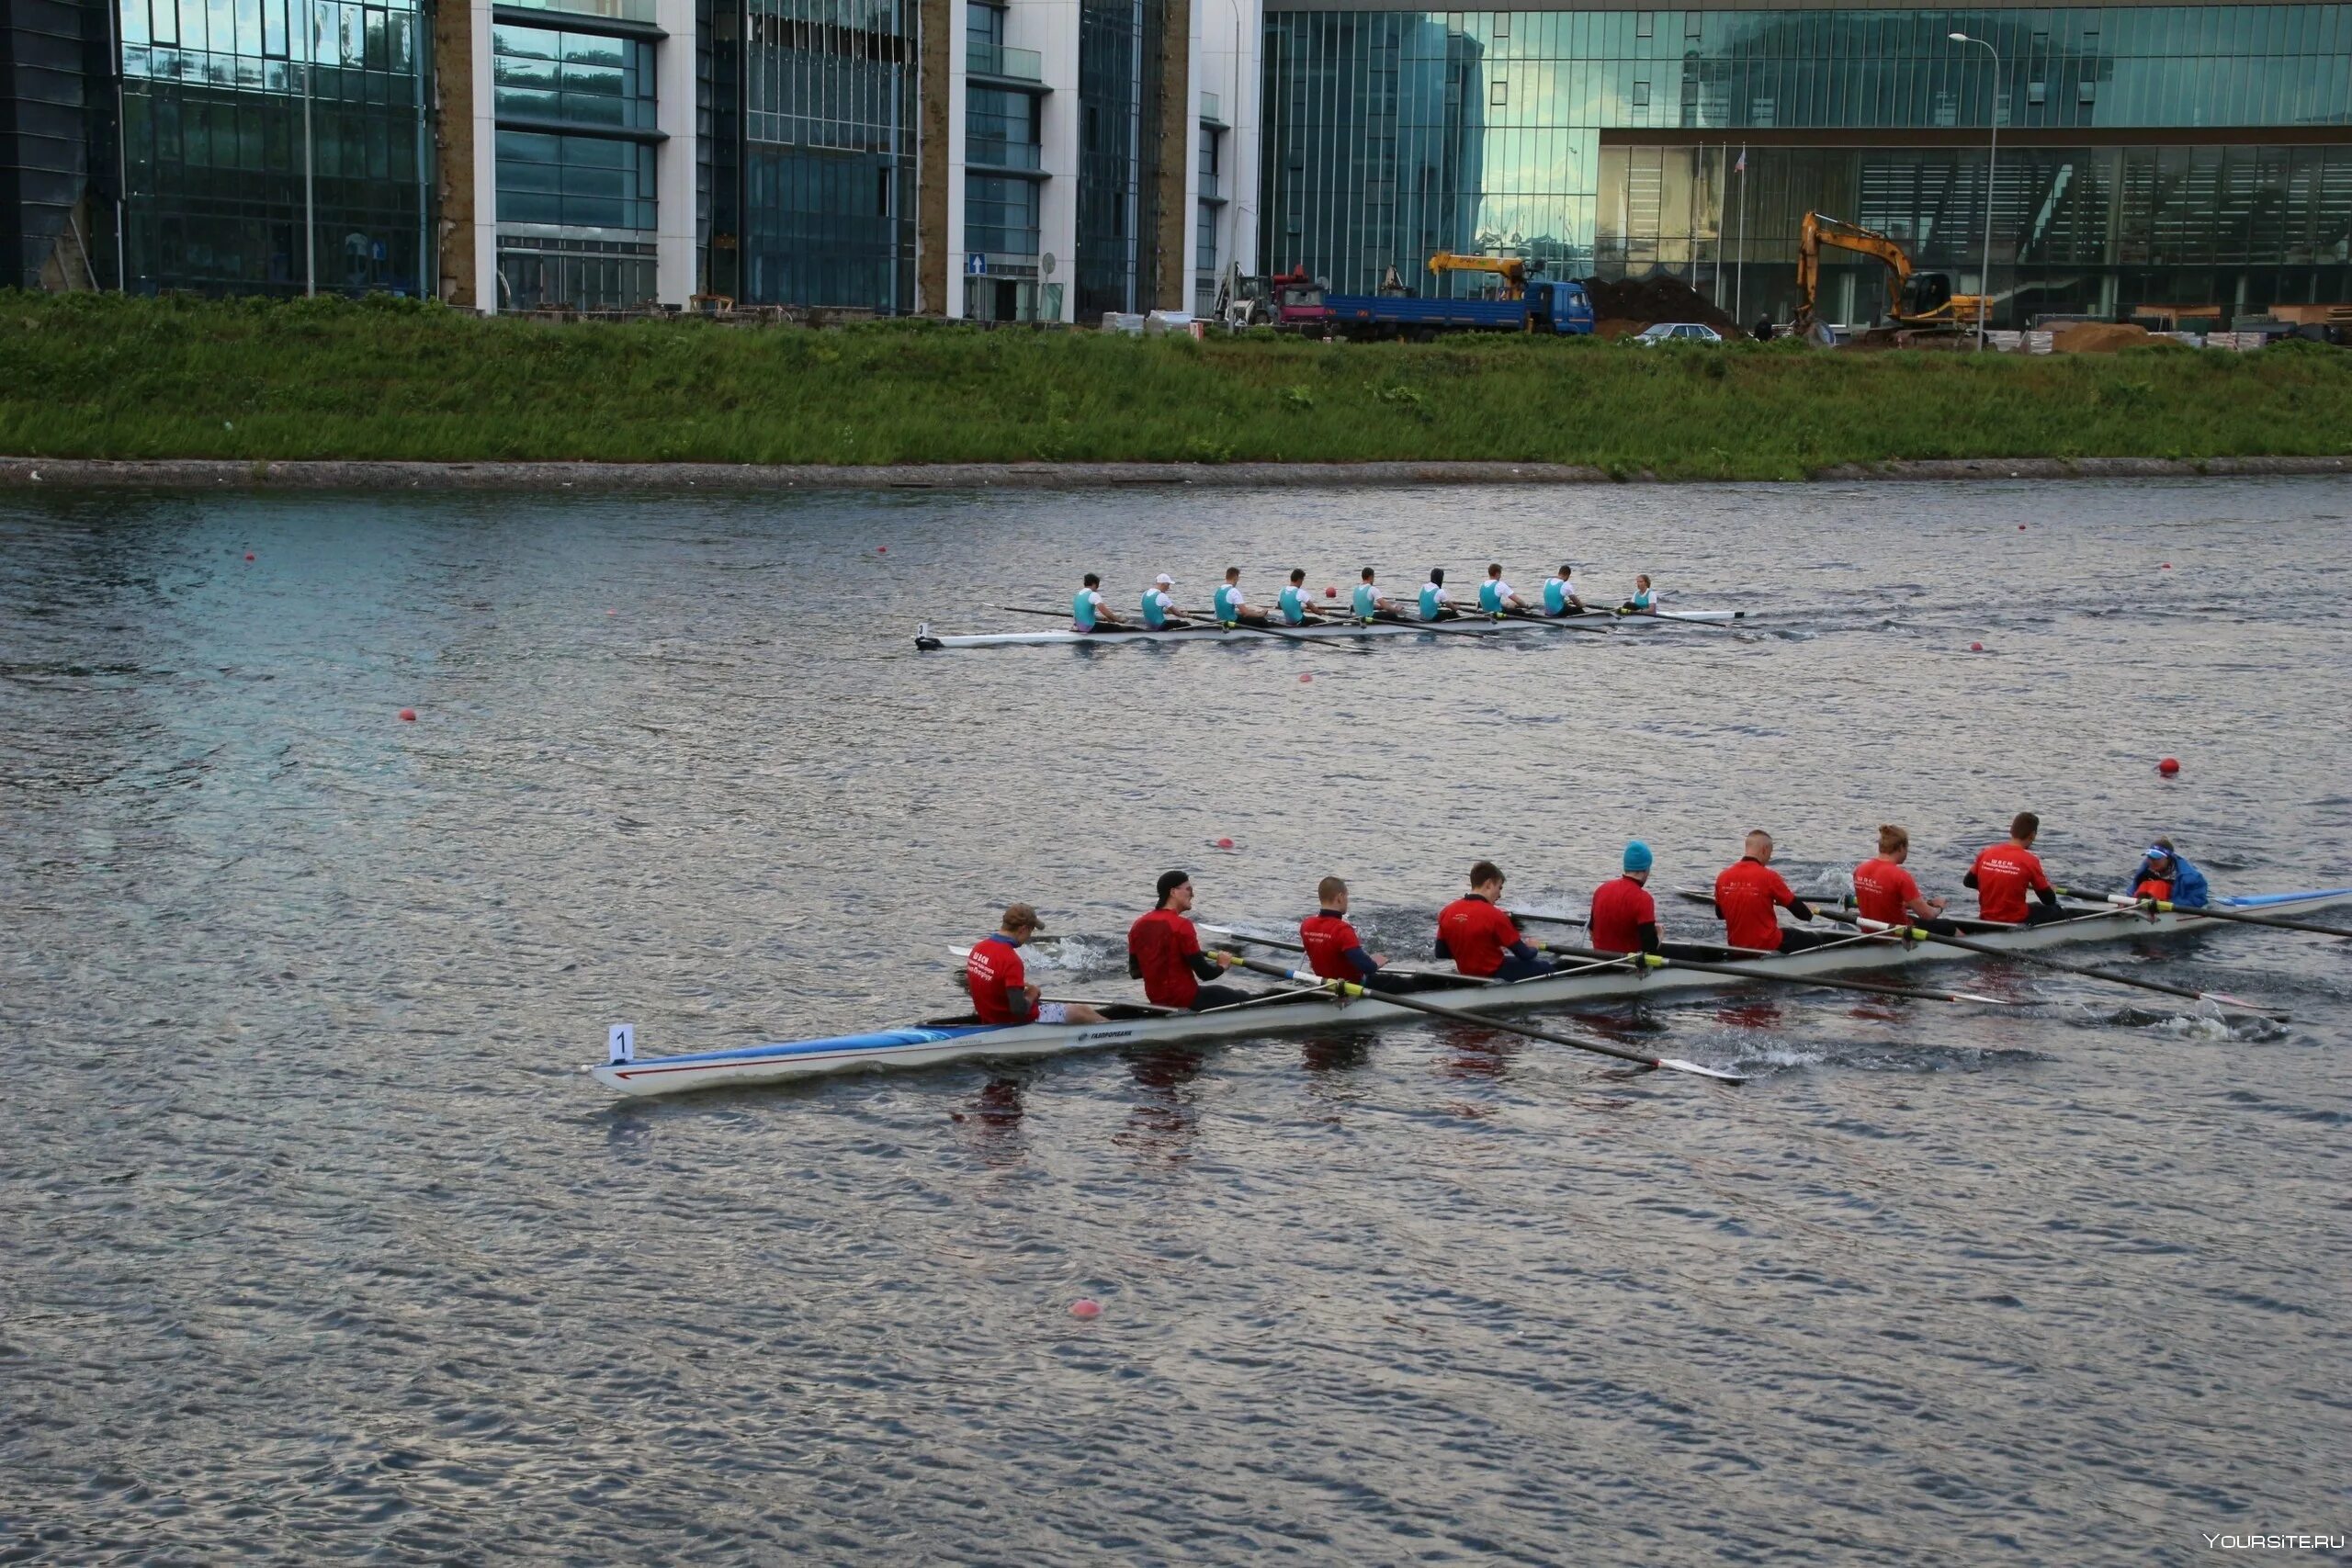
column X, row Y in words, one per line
column 274, row 145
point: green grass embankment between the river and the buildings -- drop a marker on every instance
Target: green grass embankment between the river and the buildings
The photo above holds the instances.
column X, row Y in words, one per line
column 109, row 377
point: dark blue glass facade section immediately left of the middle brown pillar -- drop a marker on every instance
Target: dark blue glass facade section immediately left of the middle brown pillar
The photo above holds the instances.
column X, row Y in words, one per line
column 829, row 161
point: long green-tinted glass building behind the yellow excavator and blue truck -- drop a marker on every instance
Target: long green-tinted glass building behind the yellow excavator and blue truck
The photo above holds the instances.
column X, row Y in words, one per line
column 2151, row 156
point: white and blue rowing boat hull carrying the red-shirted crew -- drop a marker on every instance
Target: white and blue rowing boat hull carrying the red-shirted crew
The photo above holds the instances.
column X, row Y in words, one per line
column 963, row 1038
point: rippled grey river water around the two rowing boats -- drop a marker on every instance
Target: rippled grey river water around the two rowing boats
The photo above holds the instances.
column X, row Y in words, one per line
column 319, row 1245
